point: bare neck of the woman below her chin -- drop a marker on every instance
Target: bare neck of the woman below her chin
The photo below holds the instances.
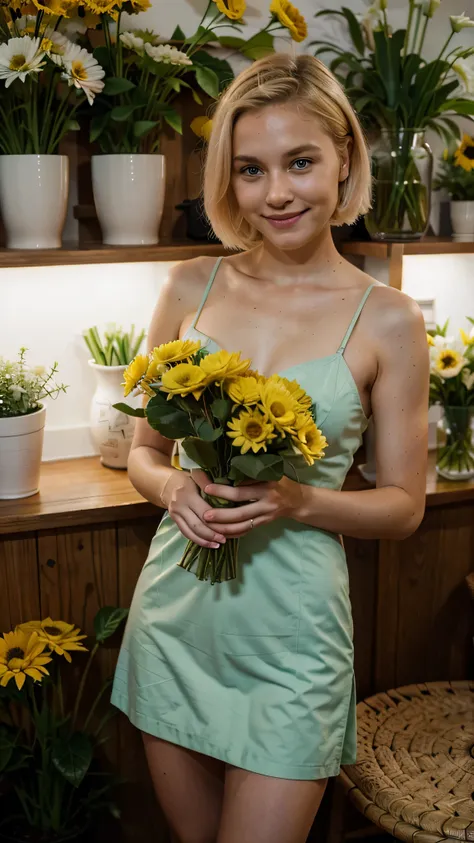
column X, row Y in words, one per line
column 306, row 264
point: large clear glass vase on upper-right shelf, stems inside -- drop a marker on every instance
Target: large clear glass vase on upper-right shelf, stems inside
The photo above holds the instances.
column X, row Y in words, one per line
column 402, row 169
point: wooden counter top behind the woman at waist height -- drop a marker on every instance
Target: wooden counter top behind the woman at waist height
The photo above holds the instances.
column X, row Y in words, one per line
column 82, row 491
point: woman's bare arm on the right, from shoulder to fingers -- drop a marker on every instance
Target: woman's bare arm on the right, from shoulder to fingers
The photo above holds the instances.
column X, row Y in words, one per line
column 399, row 400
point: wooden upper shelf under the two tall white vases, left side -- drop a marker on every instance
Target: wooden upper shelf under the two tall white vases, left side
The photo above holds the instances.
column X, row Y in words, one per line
column 73, row 254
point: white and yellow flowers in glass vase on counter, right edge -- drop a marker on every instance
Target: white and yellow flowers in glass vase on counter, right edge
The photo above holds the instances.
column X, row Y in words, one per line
column 452, row 388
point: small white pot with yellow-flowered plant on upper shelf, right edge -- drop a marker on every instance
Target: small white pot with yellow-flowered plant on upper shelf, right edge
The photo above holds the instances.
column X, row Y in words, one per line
column 456, row 177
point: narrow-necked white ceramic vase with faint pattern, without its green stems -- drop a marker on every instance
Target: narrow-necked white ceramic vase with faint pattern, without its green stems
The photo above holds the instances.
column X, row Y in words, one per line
column 111, row 430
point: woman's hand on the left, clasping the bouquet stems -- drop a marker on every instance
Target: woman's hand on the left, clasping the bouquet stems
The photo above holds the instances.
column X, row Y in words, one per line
column 186, row 507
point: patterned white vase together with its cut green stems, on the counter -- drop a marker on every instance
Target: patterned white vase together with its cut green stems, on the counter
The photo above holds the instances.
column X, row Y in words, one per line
column 111, row 431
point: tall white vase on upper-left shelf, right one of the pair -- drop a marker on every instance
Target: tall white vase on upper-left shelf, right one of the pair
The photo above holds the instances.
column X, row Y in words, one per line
column 129, row 192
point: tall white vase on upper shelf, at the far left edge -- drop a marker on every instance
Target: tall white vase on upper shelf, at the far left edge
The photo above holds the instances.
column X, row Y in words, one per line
column 33, row 199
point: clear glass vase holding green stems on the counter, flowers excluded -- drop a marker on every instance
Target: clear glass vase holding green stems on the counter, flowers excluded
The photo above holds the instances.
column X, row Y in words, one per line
column 455, row 444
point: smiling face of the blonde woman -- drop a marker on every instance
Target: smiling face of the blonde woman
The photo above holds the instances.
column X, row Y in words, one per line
column 285, row 174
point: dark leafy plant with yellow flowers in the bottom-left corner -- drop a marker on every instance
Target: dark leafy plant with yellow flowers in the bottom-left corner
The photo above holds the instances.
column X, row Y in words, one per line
column 52, row 782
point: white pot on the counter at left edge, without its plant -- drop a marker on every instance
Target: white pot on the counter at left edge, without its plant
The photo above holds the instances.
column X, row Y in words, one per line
column 21, row 449
